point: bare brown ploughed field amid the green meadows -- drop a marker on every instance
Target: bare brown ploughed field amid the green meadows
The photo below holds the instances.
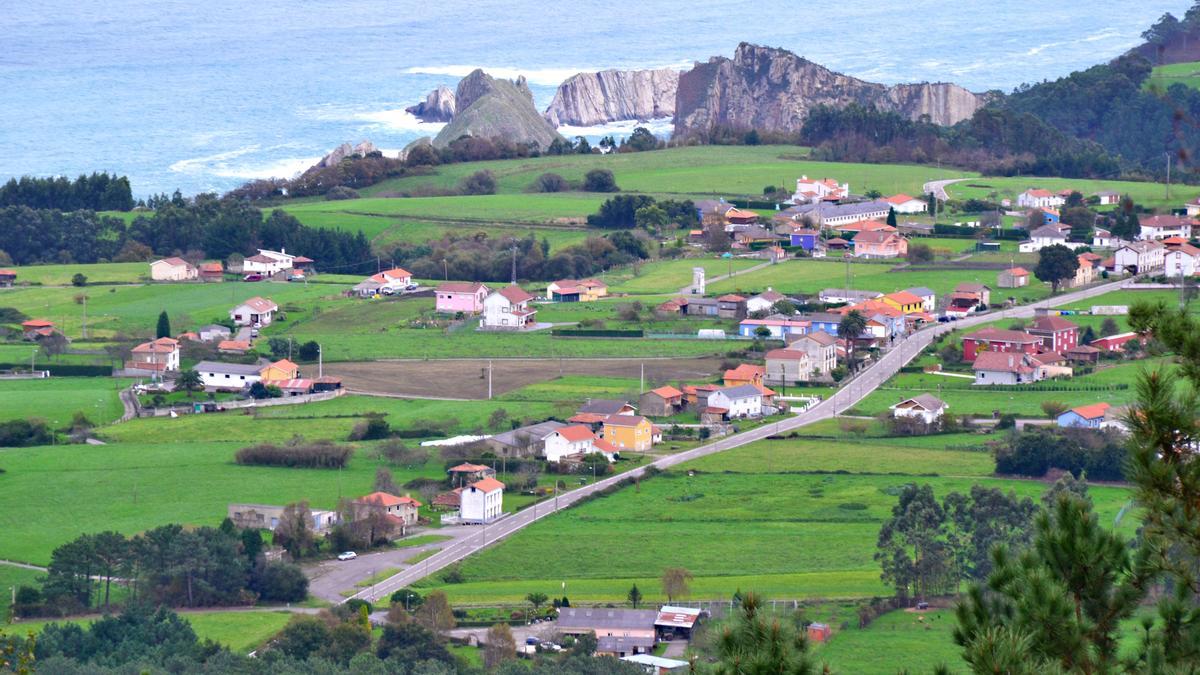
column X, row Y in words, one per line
column 465, row 379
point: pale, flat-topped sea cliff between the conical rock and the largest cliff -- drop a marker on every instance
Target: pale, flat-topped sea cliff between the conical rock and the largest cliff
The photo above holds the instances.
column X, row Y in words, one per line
column 601, row 98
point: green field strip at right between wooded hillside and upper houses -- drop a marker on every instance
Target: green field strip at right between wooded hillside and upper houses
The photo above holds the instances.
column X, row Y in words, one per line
column 1143, row 194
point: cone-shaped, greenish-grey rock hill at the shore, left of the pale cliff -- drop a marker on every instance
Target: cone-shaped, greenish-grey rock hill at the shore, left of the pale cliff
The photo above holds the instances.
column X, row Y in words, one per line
column 489, row 107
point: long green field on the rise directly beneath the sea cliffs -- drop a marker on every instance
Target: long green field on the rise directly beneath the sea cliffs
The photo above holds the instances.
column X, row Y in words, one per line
column 698, row 171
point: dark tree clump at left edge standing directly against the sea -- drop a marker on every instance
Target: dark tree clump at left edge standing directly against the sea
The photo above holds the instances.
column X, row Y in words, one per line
column 97, row 193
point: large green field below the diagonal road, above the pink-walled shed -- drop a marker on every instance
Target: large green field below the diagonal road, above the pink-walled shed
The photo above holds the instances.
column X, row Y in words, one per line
column 776, row 517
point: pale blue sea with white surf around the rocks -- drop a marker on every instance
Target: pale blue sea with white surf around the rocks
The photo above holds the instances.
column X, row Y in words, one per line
column 203, row 95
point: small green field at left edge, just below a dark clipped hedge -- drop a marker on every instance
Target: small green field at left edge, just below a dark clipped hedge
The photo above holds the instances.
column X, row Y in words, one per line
column 57, row 399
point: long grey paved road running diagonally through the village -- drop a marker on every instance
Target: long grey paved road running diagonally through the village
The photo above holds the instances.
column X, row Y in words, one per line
column 853, row 392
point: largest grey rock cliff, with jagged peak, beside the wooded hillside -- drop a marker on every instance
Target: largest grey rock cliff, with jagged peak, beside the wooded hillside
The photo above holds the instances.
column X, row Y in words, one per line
column 773, row 89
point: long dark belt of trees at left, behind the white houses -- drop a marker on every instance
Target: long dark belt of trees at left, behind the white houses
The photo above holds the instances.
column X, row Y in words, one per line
column 202, row 228
